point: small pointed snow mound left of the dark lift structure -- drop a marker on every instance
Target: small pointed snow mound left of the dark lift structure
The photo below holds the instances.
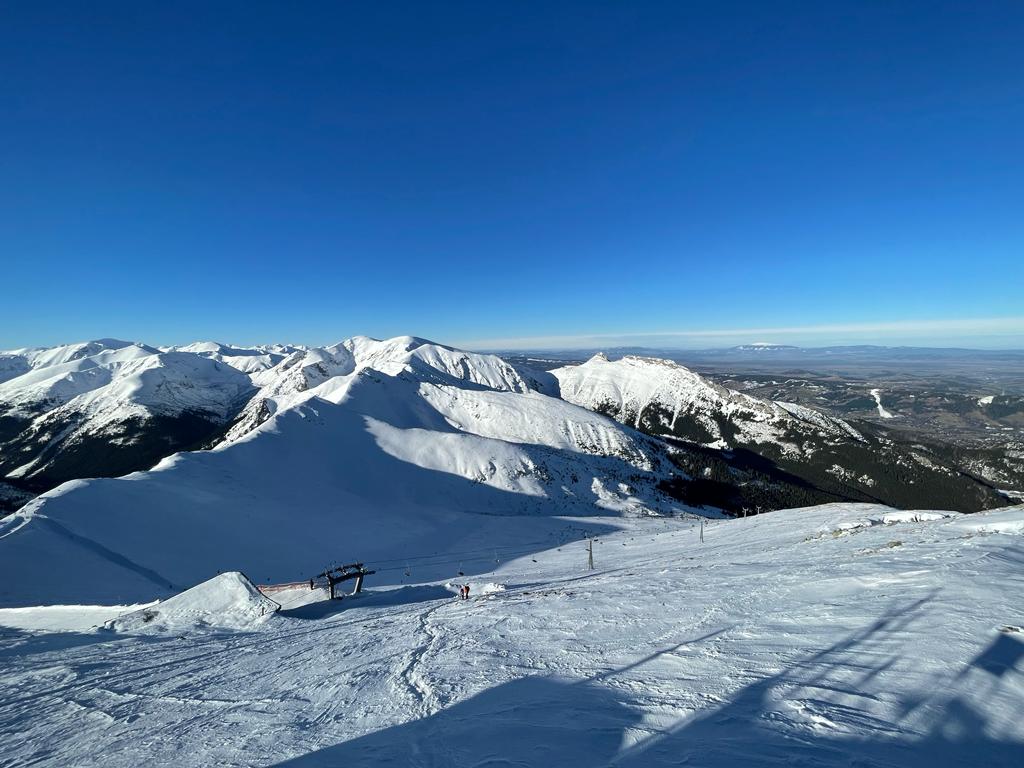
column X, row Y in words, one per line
column 229, row 602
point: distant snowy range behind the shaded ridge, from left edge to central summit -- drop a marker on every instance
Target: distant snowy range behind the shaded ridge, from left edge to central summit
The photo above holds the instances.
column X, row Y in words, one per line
column 107, row 408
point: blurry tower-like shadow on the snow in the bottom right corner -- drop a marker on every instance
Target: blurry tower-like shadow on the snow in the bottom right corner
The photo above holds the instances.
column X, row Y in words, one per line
column 746, row 732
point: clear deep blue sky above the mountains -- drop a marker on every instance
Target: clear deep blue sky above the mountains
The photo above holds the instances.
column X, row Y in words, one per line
column 503, row 175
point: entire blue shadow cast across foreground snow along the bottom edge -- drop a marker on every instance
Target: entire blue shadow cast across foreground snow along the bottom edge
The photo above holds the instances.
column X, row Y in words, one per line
column 544, row 721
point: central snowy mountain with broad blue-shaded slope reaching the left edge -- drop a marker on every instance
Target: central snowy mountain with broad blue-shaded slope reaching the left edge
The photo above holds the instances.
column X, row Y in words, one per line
column 403, row 446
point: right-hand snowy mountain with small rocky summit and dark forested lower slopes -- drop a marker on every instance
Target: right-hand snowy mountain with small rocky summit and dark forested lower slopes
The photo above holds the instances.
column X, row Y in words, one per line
column 744, row 452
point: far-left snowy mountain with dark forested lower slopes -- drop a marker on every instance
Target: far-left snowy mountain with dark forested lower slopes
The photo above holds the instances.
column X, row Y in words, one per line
column 107, row 408
